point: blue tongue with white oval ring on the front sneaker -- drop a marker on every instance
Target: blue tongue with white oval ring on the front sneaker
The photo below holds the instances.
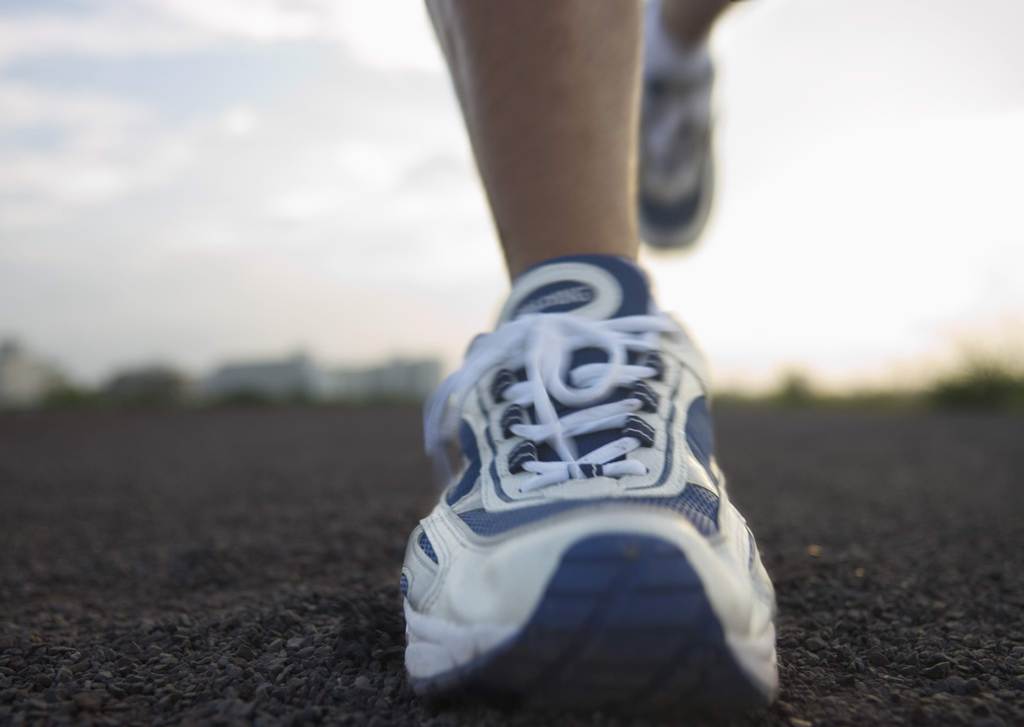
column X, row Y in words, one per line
column 596, row 287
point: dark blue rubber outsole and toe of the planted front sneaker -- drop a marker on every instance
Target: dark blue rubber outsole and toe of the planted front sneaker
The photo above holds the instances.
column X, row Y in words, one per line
column 623, row 623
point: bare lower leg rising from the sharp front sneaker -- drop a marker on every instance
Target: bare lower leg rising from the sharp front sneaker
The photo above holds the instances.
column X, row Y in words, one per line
column 549, row 92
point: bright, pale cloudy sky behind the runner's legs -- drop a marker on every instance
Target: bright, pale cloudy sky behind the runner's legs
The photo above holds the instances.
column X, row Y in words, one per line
column 196, row 183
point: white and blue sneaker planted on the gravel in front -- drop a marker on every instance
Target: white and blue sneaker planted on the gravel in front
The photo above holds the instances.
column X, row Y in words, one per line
column 585, row 554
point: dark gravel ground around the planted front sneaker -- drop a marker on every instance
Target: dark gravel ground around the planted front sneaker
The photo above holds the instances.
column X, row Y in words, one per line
column 242, row 567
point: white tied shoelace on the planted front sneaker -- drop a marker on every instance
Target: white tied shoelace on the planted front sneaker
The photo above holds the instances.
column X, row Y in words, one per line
column 544, row 344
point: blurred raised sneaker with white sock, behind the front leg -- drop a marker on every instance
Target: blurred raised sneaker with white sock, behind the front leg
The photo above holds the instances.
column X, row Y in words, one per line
column 676, row 166
